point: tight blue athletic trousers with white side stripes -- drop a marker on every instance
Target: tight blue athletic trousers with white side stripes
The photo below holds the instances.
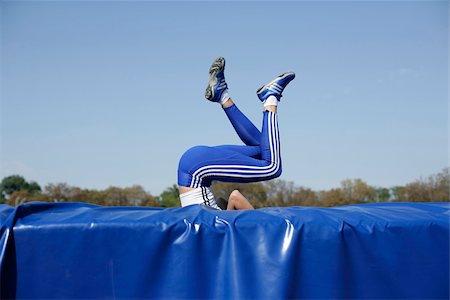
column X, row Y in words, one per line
column 258, row 160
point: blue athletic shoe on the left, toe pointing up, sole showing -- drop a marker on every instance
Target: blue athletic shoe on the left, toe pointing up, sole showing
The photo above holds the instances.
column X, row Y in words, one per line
column 216, row 84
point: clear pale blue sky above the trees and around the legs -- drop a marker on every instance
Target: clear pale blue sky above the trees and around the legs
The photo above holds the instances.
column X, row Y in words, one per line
column 107, row 93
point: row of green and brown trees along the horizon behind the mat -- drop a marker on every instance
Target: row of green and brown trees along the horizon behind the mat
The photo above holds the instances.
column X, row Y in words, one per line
column 15, row 190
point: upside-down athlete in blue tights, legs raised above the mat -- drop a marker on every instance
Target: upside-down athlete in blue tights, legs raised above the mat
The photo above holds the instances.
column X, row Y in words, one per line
column 259, row 160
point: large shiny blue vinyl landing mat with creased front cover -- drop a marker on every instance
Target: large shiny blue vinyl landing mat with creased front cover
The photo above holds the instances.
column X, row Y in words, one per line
column 79, row 251
